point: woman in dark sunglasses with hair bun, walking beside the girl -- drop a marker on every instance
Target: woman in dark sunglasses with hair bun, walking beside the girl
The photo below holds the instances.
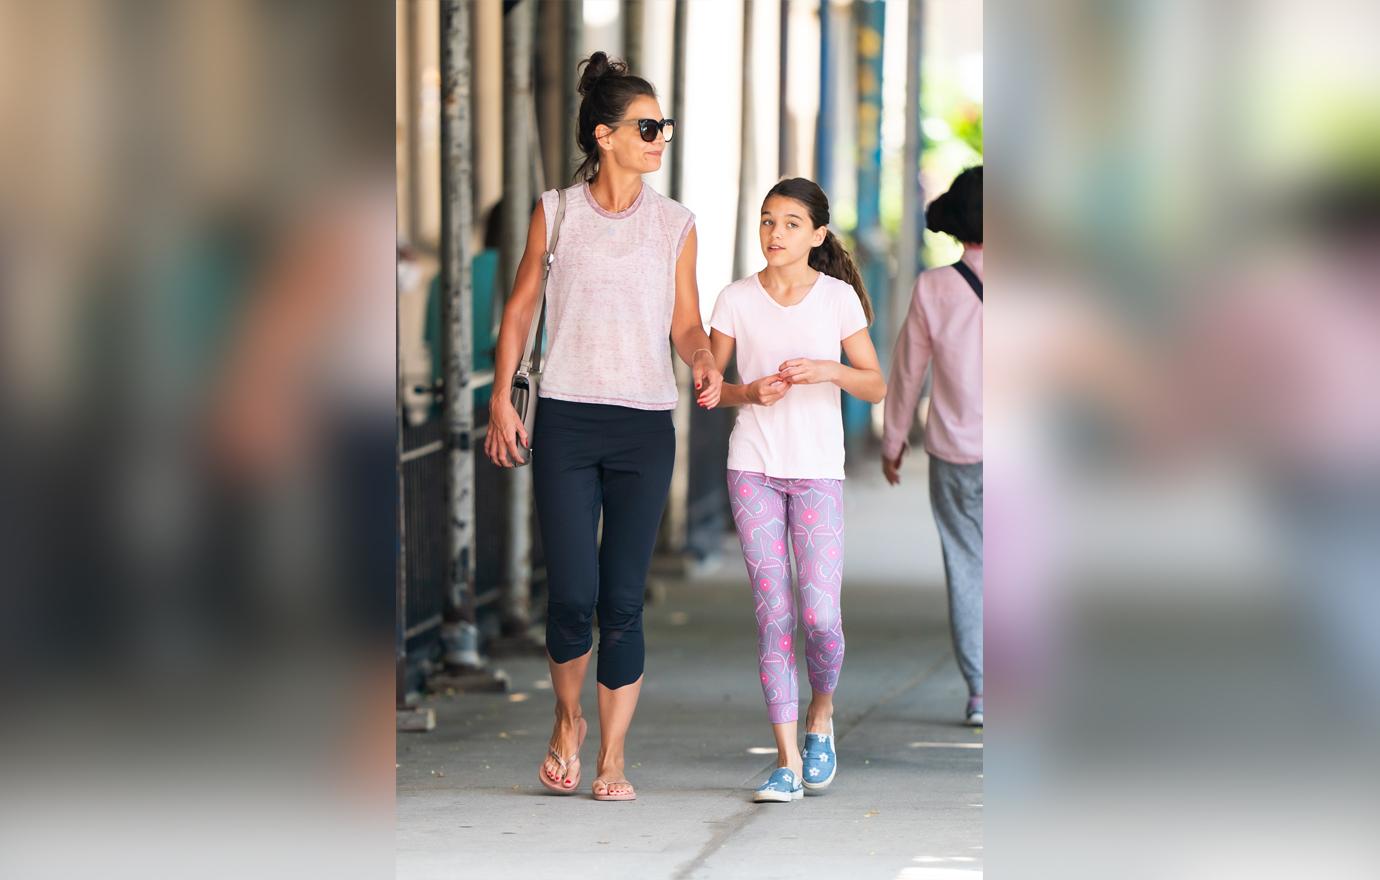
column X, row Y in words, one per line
column 623, row 281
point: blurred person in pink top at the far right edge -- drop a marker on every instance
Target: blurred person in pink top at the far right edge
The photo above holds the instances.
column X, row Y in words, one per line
column 1281, row 366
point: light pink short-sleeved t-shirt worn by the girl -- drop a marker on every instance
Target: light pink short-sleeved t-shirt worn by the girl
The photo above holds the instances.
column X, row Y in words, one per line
column 801, row 437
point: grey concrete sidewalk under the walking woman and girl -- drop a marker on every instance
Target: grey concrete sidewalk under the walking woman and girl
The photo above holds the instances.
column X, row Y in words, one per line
column 907, row 802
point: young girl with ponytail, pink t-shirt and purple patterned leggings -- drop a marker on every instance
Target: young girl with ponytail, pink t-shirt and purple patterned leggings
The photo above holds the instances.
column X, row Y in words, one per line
column 786, row 457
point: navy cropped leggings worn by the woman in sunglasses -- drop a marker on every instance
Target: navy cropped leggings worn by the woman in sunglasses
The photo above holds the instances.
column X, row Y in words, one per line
column 591, row 460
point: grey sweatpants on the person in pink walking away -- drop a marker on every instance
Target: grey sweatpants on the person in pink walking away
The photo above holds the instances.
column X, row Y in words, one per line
column 957, row 499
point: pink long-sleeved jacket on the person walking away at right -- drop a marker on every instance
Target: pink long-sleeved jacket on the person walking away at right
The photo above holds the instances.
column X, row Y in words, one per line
column 946, row 325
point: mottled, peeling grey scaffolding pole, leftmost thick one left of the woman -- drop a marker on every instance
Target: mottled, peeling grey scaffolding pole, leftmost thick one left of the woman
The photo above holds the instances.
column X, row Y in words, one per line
column 459, row 632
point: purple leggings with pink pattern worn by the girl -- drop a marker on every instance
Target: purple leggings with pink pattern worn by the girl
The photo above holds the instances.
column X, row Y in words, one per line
column 812, row 511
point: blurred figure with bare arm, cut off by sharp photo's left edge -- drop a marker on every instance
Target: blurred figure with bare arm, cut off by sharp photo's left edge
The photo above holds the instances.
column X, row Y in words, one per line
column 303, row 424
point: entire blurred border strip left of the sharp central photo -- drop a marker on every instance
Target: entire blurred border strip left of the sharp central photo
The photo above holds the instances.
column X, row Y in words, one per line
column 208, row 212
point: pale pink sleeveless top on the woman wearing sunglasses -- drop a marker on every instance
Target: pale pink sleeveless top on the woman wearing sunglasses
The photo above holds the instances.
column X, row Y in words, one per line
column 611, row 299
